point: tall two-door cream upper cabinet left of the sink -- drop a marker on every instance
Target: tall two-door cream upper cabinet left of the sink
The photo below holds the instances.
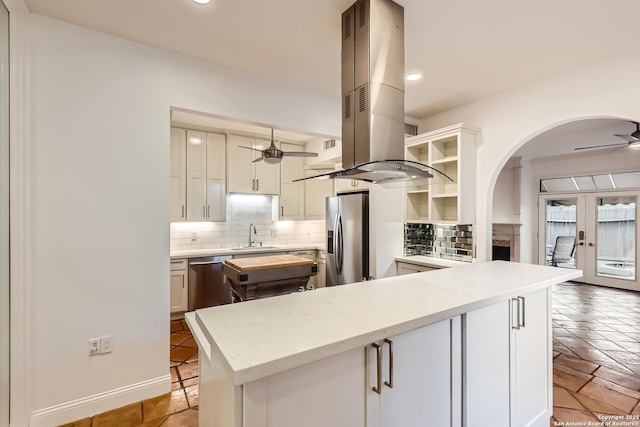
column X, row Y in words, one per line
column 206, row 172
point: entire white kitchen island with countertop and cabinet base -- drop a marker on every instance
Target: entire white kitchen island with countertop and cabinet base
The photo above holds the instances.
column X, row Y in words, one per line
column 469, row 344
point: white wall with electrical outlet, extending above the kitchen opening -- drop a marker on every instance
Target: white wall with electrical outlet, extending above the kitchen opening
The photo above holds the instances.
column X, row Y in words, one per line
column 99, row 221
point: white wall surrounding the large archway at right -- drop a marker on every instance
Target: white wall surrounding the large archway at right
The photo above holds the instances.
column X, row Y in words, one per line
column 606, row 88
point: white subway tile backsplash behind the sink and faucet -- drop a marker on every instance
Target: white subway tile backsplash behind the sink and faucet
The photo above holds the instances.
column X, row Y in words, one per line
column 243, row 210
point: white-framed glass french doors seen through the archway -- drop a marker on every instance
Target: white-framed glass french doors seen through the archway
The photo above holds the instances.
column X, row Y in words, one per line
column 596, row 232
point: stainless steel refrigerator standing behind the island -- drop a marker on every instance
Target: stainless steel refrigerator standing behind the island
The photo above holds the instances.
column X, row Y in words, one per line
column 347, row 238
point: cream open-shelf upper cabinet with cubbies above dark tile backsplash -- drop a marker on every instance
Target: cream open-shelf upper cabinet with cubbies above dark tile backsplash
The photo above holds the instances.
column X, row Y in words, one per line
column 452, row 151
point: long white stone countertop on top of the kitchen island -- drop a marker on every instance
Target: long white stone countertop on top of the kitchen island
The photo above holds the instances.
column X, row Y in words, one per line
column 263, row 337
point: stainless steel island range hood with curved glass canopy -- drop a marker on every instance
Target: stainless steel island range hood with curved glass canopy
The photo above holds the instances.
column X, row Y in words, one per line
column 373, row 99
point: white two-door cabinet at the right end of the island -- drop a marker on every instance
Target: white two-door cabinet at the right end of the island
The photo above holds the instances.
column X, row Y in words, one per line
column 508, row 347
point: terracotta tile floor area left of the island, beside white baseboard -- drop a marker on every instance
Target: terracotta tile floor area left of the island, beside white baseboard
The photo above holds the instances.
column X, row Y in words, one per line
column 179, row 408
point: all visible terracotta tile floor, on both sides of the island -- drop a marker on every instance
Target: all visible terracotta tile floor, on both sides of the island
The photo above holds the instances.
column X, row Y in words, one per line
column 596, row 338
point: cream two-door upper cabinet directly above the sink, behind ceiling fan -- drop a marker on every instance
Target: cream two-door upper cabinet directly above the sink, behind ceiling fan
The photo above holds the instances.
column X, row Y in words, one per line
column 245, row 176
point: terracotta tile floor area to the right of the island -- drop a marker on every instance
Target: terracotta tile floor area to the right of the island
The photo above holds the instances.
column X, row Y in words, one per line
column 596, row 342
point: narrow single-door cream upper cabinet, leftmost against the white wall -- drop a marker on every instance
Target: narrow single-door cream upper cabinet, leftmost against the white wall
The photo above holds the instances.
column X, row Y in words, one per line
column 178, row 175
